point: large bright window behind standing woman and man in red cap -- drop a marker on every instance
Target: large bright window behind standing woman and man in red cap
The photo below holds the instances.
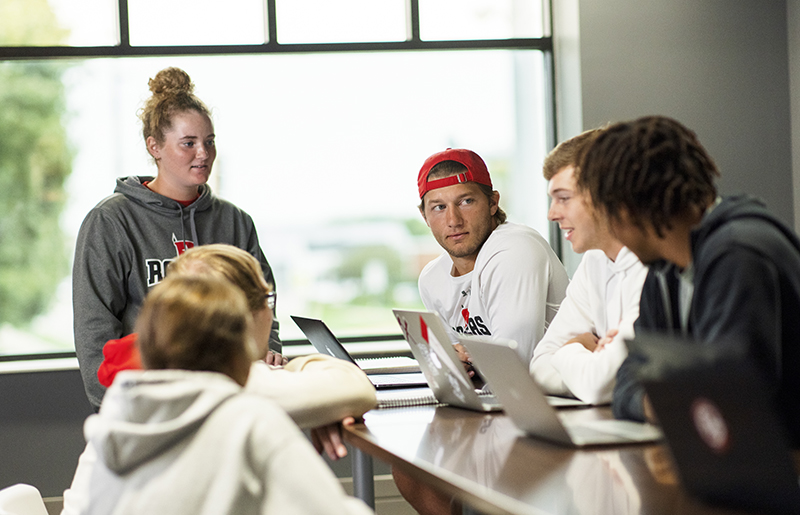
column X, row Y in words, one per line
column 321, row 127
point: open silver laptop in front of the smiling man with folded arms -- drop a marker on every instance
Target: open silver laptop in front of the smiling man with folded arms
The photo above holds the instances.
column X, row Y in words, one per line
column 526, row 404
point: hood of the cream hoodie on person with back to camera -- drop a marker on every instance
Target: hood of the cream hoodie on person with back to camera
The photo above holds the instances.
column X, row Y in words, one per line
column 145, row 413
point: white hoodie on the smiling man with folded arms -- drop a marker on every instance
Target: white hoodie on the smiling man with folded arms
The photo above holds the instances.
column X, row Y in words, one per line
column 602, row 295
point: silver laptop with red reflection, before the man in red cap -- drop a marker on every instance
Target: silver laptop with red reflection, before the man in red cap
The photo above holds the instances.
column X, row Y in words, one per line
column 427, row 336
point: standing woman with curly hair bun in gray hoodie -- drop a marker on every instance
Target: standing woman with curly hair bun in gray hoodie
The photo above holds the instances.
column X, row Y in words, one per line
column 126, row 242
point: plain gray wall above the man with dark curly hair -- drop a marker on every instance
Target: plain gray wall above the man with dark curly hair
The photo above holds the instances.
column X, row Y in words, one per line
column 718, row 66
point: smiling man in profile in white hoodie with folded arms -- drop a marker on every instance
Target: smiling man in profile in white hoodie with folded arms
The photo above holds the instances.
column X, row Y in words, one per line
column 583, row 346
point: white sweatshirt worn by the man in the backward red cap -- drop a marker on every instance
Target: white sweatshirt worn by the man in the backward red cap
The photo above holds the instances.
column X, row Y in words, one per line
column 513, row 292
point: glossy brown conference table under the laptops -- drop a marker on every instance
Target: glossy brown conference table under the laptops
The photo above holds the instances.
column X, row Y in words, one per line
column 493, row 468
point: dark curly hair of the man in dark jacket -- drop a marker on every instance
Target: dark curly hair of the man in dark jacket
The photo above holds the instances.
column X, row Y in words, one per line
column 654, row 168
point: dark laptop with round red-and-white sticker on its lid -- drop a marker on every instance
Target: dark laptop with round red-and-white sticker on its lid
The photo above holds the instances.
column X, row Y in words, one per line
column 719, row 423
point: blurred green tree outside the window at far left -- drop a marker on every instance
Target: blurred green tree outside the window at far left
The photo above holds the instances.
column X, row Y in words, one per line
column 35, row 160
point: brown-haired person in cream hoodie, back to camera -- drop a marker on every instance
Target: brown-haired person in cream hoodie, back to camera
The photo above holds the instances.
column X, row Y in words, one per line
column 183, row 436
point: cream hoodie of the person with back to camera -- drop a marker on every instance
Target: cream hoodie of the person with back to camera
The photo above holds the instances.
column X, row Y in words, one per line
column 177, row 441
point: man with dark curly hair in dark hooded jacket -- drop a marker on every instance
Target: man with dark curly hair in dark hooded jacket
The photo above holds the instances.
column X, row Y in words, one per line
column 721, row 269
